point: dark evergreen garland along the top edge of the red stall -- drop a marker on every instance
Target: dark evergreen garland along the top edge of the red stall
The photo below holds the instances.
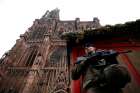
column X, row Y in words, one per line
column 128, row 29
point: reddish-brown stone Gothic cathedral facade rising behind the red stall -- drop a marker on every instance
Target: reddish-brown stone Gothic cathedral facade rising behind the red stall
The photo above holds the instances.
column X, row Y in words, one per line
column 38, row 63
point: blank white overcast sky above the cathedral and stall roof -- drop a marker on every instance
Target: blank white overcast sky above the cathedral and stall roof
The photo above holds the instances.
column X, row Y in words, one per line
column 16, row 16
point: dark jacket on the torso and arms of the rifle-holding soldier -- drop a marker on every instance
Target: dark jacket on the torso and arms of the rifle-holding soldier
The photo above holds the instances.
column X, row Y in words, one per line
column 91, row 67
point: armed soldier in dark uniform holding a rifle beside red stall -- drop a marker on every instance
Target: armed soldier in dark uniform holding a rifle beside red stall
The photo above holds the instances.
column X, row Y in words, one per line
column 99, row 75
